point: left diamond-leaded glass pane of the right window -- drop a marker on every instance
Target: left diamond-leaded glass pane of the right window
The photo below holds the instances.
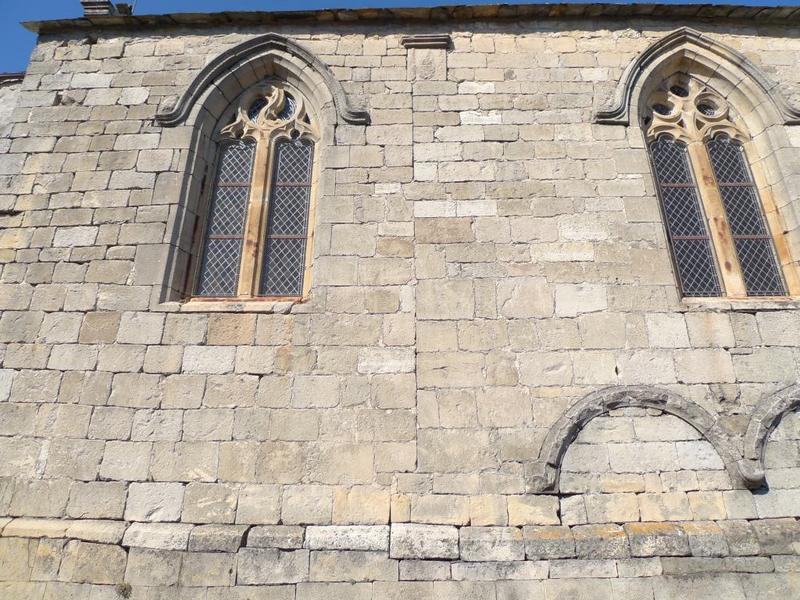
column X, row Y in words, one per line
column 686, row 227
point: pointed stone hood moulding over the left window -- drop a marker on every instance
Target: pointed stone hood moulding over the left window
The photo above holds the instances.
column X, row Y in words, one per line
column 230, row 70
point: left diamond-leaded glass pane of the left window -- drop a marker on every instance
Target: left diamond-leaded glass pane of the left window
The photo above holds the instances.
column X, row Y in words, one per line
column 222, row 250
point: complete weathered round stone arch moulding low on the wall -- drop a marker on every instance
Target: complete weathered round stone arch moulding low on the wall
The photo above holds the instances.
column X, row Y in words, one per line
column 542, row 476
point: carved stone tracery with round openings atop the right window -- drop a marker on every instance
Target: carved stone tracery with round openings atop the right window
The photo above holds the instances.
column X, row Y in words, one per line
column 689, row 111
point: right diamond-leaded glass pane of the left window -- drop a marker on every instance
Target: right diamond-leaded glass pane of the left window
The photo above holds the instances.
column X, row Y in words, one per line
column 287, row 224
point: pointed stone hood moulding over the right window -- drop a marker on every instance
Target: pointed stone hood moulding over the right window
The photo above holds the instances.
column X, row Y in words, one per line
column 693, row 46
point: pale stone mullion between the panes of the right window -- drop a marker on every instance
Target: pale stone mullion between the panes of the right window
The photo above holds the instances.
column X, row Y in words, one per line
column 718, row 227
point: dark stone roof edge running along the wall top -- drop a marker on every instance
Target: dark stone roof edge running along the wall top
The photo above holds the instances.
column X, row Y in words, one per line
column 667, row 12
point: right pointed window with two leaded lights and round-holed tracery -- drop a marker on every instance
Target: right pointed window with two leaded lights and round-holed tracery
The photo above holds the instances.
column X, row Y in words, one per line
column 724, row 240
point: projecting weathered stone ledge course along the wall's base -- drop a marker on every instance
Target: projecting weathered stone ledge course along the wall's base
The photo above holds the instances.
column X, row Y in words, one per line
column 411, row 541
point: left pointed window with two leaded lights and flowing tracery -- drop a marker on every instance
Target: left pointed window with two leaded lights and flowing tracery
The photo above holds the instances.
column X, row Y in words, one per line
column 258, row 233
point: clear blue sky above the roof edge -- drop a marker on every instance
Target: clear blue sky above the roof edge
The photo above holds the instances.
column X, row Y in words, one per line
column 16, row 43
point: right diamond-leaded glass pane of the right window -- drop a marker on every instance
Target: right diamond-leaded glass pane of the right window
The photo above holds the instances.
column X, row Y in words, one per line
column 751, row 237
